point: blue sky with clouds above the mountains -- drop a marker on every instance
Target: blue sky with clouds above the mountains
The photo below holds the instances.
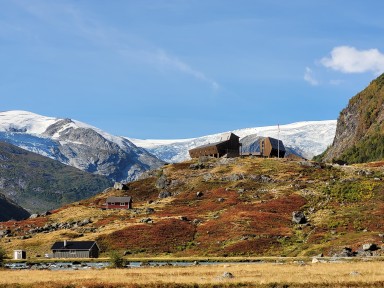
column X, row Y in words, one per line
column 187, row 68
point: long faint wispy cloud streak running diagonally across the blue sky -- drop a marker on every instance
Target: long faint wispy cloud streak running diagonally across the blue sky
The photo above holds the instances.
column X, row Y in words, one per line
column 129, row 45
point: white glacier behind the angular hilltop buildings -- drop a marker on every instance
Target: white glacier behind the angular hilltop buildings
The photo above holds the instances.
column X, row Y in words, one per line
column 303, row 138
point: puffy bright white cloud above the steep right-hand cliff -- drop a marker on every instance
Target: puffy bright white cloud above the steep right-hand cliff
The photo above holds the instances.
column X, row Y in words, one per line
column 348, row 59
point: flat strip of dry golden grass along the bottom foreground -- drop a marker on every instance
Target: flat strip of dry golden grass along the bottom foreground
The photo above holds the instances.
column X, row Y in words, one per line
column 353, row 274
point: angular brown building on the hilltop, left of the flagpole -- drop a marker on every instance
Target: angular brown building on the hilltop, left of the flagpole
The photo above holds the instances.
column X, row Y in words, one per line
column 228, row 146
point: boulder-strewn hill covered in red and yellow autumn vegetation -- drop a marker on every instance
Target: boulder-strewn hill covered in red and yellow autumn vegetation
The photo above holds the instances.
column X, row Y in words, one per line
column 225, row 207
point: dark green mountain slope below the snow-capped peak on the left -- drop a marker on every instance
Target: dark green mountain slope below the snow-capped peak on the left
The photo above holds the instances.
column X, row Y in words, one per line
column 39, row 183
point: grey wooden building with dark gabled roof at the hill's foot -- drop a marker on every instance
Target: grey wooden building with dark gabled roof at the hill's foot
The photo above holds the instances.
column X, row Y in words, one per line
column 75, row 249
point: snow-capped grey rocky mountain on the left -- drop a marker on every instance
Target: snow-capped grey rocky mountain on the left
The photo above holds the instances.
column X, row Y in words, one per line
column 76, row 144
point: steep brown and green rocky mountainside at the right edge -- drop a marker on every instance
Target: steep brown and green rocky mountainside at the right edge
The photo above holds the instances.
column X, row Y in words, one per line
column 359, row 134
